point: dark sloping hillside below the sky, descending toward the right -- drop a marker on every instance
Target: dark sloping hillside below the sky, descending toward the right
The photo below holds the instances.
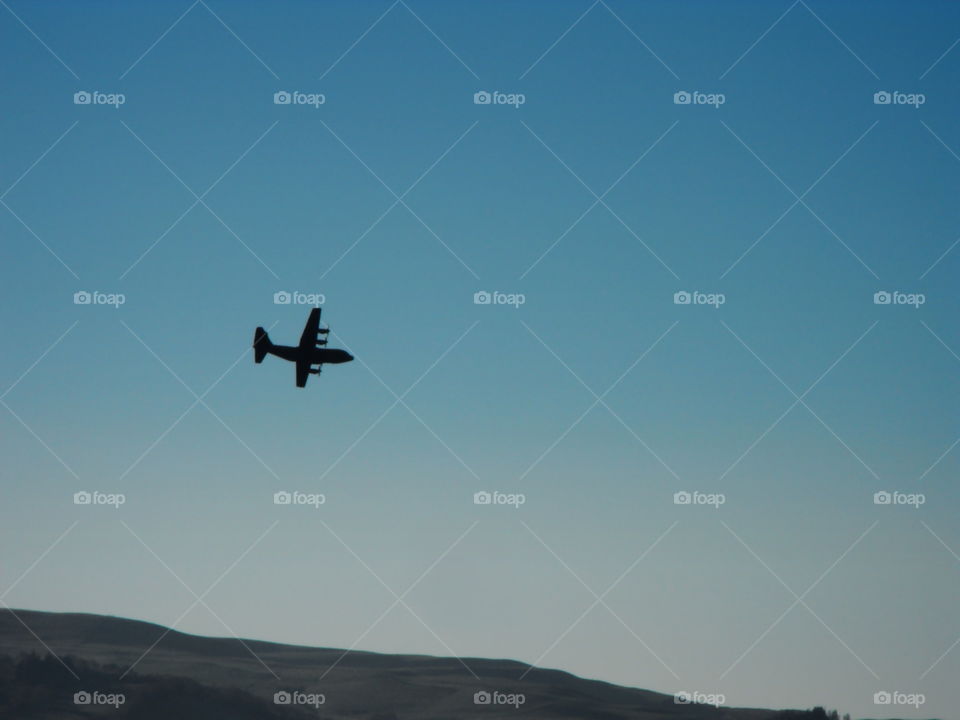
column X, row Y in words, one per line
column 188, row 676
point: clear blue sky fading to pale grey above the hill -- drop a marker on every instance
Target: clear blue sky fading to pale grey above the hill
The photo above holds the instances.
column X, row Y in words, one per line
column 598, row 198
